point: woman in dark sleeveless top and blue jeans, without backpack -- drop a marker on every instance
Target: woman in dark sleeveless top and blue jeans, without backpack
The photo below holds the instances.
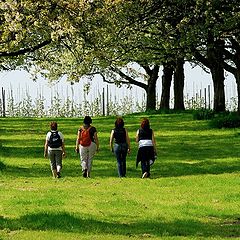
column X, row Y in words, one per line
column 121, row 145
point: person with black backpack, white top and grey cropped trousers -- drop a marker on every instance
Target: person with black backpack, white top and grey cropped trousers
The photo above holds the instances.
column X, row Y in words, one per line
column 54, row 149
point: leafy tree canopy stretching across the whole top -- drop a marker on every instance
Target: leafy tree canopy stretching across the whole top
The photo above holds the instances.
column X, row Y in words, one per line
column 78, row 38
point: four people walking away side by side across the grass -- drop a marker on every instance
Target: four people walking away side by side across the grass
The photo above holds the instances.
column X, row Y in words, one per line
column 87, row 144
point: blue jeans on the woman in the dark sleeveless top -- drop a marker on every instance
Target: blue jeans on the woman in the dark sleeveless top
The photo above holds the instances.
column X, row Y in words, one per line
column 120, row 151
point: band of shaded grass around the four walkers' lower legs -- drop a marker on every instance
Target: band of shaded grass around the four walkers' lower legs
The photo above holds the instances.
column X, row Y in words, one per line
column 72, row 168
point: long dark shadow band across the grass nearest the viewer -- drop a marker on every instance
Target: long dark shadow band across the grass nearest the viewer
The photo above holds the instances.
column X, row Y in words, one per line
column 65, row 222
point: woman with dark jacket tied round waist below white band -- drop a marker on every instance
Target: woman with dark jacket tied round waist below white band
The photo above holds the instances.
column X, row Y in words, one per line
column 146, row 147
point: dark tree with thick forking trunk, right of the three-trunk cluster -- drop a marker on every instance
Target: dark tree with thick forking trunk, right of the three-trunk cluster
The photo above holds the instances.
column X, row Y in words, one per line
column 210, row 26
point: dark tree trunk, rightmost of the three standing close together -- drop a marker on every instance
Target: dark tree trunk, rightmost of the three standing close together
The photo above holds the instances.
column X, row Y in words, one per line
column 179, row 85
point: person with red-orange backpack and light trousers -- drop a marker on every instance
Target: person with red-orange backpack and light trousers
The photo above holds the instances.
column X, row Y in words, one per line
column 87, row 144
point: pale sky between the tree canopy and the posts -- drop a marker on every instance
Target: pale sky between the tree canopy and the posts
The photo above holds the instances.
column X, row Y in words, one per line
column 20, row 82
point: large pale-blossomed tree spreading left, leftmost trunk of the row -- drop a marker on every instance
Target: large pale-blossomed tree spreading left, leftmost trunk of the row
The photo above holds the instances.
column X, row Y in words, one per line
column 77, row 39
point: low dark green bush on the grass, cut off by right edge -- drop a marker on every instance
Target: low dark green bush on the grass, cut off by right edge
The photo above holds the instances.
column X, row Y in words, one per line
column 226, row 120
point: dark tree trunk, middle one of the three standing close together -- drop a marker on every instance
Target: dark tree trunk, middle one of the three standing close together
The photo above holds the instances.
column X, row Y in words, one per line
column 166, row 86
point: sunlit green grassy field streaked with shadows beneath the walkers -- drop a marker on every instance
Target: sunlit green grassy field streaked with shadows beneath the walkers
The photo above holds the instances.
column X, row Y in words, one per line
column 193, row 193
